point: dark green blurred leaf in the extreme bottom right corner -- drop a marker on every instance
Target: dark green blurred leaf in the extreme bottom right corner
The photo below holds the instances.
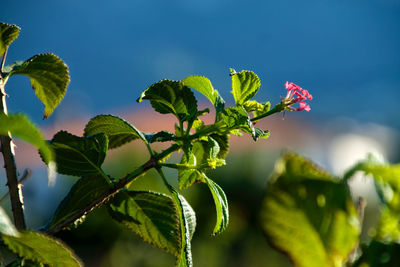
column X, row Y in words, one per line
column 378, row 254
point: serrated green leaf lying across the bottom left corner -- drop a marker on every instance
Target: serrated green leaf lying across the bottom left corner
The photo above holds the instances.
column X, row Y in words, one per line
column 41, row 248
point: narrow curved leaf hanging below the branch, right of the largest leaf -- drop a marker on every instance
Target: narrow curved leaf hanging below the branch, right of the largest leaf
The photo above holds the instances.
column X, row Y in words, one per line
column 221, row 205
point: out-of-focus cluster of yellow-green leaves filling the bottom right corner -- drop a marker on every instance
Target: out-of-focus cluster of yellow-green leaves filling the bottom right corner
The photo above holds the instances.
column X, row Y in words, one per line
column 309, row 214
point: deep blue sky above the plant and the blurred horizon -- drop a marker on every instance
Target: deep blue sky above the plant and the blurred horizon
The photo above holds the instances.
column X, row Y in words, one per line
column 346, row 53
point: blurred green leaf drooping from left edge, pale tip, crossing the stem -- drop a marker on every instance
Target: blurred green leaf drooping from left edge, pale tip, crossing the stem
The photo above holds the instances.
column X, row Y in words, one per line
column 21, row 127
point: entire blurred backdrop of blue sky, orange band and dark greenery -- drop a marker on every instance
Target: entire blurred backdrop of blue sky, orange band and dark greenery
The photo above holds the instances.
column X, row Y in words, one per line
column 346, row 53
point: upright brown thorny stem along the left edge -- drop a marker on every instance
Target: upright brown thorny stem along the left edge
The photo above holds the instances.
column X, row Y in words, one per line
column 9, row 162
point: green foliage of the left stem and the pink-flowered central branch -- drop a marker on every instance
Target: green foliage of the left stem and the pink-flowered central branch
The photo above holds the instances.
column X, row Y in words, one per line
column 166, row 221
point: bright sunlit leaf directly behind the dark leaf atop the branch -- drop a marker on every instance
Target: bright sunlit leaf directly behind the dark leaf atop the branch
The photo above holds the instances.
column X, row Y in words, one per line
column 204, row 86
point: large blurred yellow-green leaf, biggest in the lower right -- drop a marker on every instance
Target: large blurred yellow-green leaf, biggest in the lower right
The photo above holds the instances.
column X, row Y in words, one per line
column 309, row 215
